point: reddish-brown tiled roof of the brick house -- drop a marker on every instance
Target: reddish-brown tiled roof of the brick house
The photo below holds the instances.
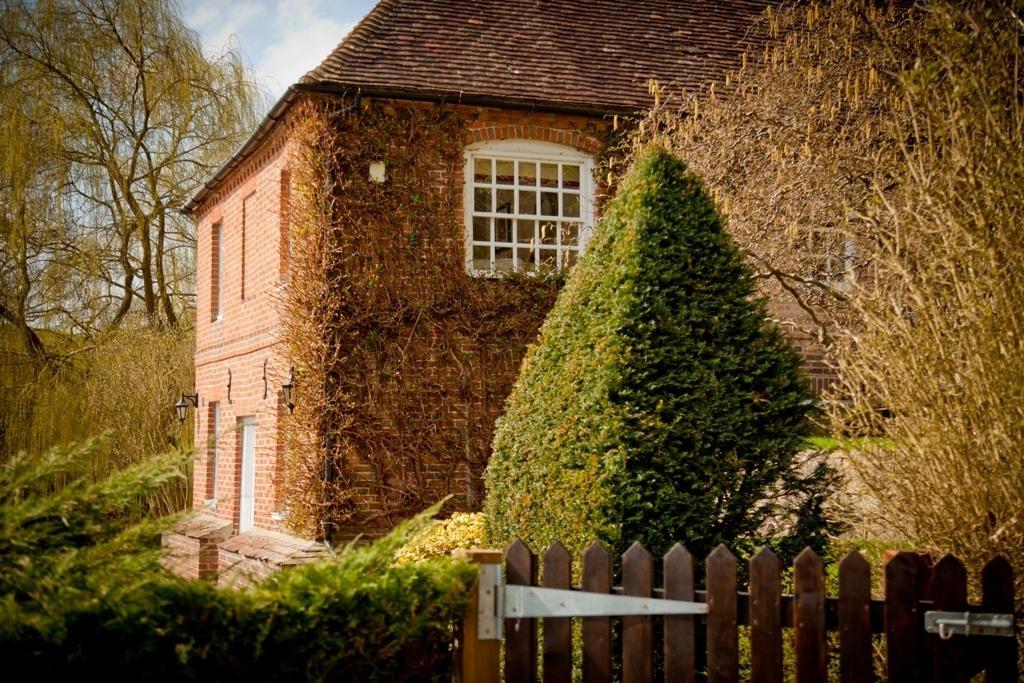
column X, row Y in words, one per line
column 588, row 54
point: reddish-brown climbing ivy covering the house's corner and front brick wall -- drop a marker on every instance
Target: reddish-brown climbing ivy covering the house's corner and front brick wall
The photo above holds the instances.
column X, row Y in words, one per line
column 404, row 360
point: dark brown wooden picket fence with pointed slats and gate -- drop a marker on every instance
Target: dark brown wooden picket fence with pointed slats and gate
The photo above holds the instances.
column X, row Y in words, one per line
column 707, row 648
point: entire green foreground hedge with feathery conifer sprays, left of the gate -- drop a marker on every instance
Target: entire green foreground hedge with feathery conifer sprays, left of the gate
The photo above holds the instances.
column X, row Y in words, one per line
column 82, row 594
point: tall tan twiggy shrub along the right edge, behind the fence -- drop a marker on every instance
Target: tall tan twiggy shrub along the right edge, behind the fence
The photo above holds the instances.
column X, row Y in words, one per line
column 936, row 363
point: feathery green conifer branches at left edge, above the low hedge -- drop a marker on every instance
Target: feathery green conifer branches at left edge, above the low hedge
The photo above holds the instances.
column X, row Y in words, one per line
column 64, row 534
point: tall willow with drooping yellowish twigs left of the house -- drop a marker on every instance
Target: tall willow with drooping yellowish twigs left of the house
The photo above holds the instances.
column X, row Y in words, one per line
column 113, row 115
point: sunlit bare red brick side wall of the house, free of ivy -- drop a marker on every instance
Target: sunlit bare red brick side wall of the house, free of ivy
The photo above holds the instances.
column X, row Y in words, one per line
column 236, row 352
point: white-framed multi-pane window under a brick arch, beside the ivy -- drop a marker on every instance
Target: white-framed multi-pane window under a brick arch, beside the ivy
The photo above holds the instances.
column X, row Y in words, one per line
column 529, row 206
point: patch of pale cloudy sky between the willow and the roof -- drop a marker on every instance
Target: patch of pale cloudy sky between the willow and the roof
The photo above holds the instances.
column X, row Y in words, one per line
column 281, row 40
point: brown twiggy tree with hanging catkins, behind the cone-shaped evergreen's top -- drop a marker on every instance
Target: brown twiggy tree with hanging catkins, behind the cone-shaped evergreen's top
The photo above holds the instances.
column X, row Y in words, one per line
column 792, row 150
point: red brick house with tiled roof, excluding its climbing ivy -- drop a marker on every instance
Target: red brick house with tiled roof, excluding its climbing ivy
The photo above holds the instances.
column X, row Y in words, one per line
column 533, row 93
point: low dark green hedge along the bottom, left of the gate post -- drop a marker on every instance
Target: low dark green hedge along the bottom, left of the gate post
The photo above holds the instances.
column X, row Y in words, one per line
column 325, row 622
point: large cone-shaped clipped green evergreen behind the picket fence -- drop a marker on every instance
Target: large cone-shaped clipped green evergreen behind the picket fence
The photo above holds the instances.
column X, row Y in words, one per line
column 659, row 404
